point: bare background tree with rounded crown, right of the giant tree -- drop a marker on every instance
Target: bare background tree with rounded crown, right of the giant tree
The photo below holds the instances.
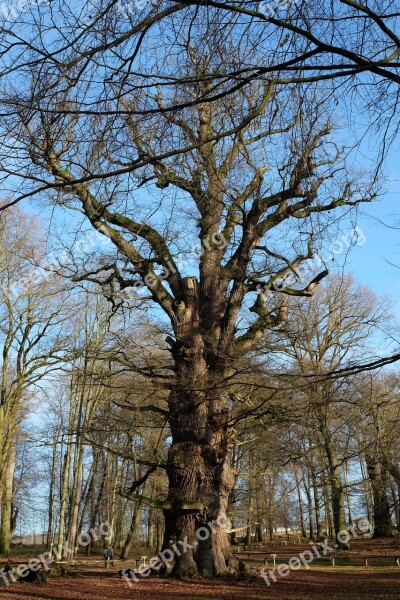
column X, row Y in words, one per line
column 322, row 336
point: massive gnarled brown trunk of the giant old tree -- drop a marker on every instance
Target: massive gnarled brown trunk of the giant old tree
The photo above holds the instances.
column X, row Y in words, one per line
column 198, row 466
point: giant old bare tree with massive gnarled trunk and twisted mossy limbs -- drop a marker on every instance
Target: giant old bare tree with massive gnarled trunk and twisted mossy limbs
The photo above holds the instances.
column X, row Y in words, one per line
column 259, row 163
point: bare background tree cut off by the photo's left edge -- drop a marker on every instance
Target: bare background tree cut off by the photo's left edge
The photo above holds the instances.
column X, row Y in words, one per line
column 32, row 328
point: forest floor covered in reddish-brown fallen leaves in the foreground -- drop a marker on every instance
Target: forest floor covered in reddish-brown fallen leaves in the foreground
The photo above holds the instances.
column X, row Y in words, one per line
column 93, row 582
